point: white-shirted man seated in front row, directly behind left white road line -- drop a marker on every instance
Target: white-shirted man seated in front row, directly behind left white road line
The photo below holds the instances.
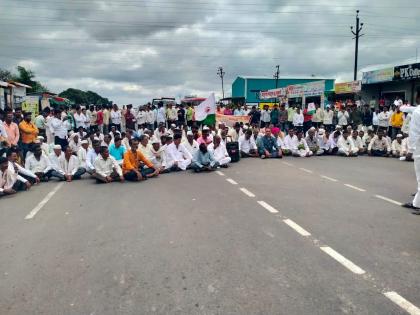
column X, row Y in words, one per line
column 39, row 164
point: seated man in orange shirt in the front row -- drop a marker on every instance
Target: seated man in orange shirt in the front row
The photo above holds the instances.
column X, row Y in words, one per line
column 133, row 169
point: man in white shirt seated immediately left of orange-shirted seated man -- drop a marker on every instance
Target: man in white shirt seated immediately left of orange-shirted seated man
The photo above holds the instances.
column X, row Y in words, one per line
column 107, row 168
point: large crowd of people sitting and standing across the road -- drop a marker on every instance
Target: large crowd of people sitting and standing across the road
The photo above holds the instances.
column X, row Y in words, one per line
column 108, row 144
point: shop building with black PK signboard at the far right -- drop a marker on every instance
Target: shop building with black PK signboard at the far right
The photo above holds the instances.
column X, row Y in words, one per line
column 389, row 82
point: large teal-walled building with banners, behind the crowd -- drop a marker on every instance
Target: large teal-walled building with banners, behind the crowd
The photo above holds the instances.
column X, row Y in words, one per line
column 249, row 87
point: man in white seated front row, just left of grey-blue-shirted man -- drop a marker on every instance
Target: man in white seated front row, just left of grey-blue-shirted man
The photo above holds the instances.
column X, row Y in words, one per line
column 177, row 156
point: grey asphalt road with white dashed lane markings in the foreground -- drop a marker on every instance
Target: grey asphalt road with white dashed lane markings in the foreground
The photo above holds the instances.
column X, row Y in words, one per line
column 321, row 235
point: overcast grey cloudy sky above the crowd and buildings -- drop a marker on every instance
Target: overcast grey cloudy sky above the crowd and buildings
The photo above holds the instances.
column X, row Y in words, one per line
column 134, row 50
